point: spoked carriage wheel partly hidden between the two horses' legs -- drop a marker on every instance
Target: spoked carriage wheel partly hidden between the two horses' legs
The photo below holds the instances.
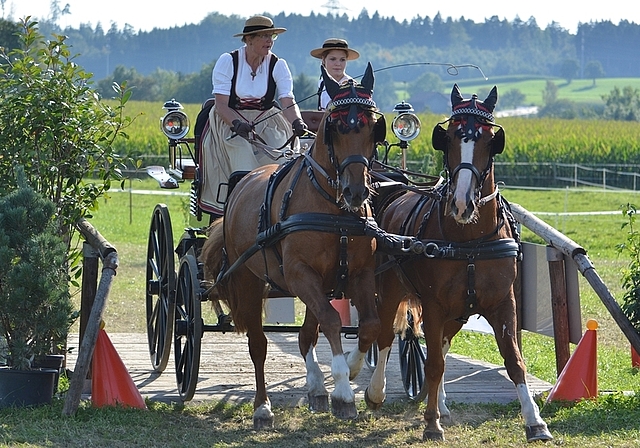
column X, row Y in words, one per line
column 412, row 359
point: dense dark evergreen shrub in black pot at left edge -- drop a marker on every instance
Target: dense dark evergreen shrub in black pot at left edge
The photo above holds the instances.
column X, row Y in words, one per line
column 36, row 310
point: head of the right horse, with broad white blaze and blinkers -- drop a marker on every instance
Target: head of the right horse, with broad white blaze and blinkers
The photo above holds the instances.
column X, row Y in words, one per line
column 469, row 144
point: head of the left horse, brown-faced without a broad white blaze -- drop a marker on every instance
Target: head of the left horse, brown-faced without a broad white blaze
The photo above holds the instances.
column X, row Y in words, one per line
column 353, row 127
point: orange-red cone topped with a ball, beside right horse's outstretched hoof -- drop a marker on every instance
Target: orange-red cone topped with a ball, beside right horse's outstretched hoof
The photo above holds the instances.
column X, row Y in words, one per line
column 579, row 378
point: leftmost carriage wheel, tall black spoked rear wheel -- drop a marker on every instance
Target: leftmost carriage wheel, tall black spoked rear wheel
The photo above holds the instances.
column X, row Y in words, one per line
column 160, row 287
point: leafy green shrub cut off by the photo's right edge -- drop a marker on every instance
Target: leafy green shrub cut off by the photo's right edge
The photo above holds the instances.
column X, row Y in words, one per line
column 631, row 274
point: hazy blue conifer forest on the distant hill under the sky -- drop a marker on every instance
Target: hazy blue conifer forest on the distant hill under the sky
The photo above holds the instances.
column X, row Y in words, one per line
column 499, row 47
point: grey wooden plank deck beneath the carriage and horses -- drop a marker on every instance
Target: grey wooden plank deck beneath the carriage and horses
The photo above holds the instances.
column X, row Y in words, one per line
column 226, row 372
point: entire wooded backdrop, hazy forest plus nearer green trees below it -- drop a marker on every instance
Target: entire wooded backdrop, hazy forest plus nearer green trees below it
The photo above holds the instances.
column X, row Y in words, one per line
column 177, row 62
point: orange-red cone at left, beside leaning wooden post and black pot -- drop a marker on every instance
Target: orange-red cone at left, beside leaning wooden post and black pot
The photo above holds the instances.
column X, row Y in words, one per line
column 111, row 384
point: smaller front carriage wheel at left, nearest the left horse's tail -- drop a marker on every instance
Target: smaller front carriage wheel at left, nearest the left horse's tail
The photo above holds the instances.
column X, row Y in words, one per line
column 188, row 330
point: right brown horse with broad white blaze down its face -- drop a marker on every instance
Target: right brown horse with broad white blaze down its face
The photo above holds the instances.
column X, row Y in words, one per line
column 468, row 266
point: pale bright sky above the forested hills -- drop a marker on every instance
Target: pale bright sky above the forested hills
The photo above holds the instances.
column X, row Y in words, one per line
column 144, row 15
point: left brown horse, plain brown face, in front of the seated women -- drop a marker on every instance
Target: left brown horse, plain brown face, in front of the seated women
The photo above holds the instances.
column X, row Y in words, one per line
column 299, row 229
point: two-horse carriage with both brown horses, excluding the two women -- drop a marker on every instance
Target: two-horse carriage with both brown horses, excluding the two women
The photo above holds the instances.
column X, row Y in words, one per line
column 319, row 229
